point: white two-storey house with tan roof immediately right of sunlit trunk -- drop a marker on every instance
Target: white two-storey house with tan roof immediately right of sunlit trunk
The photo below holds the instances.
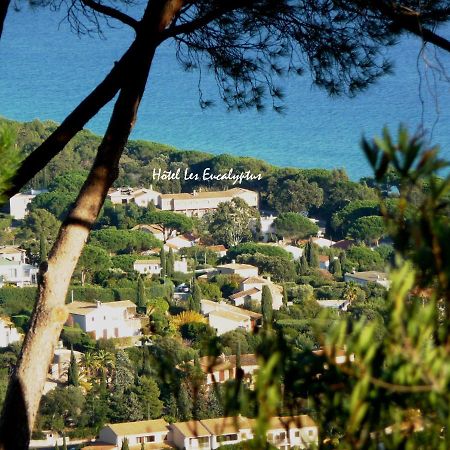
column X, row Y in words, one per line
column 105, row 320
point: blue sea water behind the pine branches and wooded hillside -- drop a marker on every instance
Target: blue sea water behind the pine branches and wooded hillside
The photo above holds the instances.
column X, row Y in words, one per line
column 46, row 70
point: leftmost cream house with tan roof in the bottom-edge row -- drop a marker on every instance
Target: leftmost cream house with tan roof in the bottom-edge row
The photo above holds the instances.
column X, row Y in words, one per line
column 143, row 432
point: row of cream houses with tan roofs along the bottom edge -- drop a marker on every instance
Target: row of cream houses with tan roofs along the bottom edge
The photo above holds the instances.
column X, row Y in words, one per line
column 300, row 432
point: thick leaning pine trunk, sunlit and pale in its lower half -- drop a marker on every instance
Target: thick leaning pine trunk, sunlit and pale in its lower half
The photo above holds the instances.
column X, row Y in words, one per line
column 49, row 315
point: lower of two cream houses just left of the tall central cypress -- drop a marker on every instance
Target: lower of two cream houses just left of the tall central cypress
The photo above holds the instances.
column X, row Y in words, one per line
column 224, row 317
